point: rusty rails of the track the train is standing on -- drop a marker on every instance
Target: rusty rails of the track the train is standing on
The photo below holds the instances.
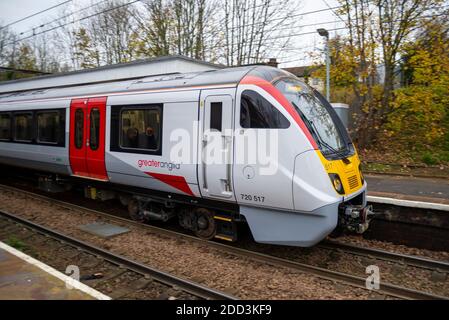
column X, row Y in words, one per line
column 386, row 289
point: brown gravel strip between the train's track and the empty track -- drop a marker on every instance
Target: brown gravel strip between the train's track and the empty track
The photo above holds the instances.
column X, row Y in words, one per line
column 236, row 275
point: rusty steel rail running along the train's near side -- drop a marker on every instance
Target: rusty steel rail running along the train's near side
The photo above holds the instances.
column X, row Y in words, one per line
column 385, row 288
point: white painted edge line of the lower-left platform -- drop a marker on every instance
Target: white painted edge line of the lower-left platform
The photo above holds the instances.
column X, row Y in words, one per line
column 55, row 273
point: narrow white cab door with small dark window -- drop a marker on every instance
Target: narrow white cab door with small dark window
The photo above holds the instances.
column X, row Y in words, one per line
column 216, row 147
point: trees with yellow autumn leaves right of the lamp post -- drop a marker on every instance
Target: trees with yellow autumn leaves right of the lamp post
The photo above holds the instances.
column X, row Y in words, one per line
column 393, row 70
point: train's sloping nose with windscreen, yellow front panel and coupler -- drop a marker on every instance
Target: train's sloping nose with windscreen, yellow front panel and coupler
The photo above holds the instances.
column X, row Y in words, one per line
column 328, row 188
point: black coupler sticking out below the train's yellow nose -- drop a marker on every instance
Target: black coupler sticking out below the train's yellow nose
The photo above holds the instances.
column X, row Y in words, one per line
column 355, row 218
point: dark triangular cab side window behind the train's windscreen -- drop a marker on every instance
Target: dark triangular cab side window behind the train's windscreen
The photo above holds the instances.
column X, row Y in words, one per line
column 256, row 112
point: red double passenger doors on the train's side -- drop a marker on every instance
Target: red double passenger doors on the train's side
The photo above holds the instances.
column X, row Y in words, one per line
column 87, row 138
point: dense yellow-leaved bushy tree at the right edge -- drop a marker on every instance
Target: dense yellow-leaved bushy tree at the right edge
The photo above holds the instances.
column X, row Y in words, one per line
column 419, row 120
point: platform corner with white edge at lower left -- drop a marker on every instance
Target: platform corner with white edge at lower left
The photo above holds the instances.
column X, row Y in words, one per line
column 25, row 278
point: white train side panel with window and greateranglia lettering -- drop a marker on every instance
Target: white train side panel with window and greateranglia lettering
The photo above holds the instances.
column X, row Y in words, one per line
column 167, row 170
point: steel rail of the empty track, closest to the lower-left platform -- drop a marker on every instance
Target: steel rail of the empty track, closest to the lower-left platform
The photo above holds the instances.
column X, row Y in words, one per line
column 188, row 286
